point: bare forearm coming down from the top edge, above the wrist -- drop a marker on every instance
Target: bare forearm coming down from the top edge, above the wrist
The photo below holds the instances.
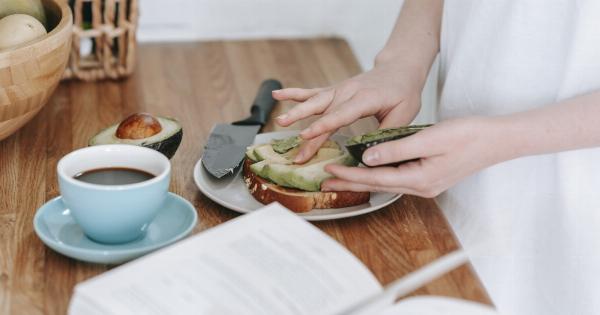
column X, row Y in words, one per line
column 414, row 42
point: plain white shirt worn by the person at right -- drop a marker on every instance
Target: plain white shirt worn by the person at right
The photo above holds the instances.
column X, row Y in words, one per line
column 538, row 217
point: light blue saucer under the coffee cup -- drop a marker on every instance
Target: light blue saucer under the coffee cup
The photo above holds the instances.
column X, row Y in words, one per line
column 55, row 226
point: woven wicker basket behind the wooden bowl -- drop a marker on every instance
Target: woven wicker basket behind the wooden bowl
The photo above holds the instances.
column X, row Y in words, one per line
column 104, row 40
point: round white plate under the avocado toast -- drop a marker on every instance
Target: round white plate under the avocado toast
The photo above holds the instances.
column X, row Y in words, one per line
column 233, row 194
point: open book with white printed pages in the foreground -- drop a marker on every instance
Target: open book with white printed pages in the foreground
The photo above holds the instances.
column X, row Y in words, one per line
column 267, row 262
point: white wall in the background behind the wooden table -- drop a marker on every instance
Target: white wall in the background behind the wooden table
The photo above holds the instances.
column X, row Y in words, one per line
column 365, row 24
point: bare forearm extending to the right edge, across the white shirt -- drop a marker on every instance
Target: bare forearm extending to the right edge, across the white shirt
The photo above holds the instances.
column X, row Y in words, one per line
column 567, row 125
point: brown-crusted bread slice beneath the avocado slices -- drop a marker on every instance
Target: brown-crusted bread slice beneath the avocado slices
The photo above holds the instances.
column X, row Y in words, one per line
column 298, row 200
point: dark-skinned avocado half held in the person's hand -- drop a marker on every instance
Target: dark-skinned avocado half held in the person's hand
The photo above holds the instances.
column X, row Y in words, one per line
column 357, row 145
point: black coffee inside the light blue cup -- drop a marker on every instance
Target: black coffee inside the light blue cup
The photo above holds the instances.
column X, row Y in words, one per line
column 114, row 176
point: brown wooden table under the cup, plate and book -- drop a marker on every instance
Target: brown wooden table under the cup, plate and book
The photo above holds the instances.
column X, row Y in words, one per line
column 201, row 84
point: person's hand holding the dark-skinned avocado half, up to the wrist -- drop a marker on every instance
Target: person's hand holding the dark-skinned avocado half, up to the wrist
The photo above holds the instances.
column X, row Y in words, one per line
column 446, row 153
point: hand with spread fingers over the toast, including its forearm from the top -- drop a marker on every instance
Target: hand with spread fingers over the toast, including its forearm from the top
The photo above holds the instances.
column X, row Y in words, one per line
column 391, row 91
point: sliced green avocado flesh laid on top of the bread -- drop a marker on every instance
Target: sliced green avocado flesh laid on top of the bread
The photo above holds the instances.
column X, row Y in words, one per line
column 279, row 168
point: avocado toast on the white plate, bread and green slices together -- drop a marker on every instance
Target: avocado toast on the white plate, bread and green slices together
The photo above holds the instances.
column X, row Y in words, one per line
column 270, row 175
